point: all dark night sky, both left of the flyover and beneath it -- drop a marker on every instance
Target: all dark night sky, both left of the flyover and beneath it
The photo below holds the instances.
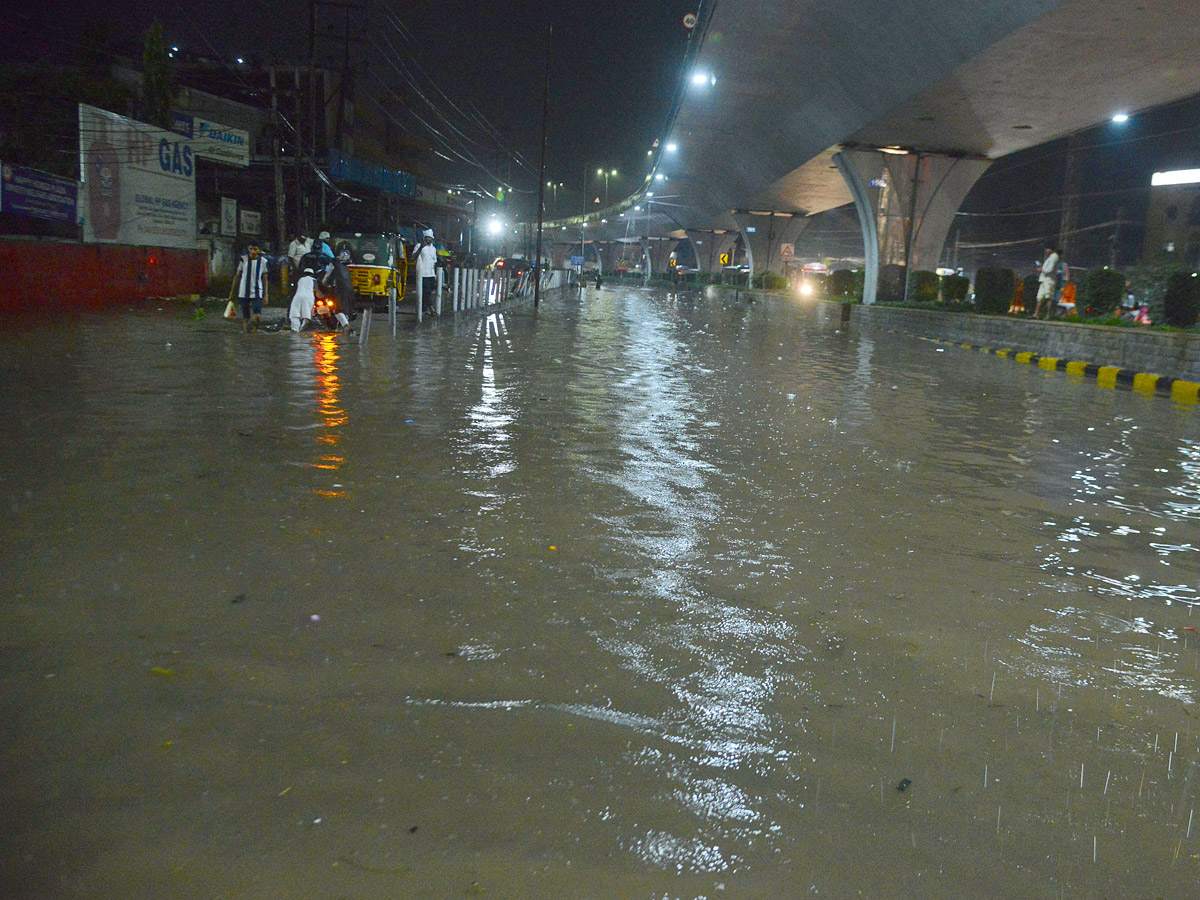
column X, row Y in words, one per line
column 614, row 70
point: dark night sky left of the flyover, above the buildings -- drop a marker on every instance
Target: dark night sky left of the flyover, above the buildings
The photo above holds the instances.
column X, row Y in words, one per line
column 614, row 70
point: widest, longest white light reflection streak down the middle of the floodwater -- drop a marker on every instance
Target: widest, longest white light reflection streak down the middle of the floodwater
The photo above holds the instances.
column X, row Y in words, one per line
column 700, row 656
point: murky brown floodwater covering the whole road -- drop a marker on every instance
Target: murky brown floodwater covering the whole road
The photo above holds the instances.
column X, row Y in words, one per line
column 641, row 596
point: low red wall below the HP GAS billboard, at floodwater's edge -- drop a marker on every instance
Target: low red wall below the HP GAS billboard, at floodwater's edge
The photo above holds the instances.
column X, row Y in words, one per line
column 49, row 274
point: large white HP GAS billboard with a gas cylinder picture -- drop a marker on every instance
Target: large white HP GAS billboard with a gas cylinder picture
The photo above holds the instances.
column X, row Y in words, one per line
column 137, row 183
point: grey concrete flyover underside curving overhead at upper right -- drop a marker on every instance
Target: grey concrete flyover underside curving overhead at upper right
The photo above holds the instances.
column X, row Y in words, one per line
column 790, row 86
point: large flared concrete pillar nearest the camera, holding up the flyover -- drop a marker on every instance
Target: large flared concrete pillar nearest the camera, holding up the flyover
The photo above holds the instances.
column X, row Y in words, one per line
column 907, row 205
